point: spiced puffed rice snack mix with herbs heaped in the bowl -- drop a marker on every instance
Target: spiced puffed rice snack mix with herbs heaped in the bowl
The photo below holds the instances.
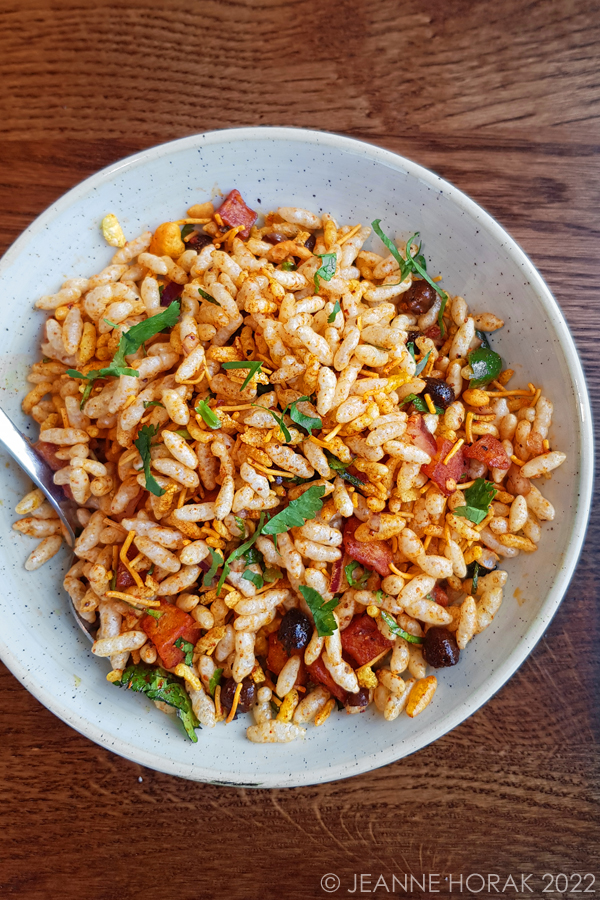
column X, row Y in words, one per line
column 298, row 465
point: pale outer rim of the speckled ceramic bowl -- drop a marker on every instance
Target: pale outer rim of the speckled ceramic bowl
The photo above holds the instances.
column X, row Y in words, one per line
column 509, row 664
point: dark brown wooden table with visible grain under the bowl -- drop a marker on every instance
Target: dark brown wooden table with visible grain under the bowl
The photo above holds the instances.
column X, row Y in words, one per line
column 500, row 98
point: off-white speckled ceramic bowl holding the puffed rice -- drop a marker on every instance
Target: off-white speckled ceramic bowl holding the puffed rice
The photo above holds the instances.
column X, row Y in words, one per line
column 356, row 182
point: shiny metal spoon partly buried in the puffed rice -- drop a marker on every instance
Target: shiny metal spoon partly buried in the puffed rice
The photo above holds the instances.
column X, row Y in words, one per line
column 42, row 475
